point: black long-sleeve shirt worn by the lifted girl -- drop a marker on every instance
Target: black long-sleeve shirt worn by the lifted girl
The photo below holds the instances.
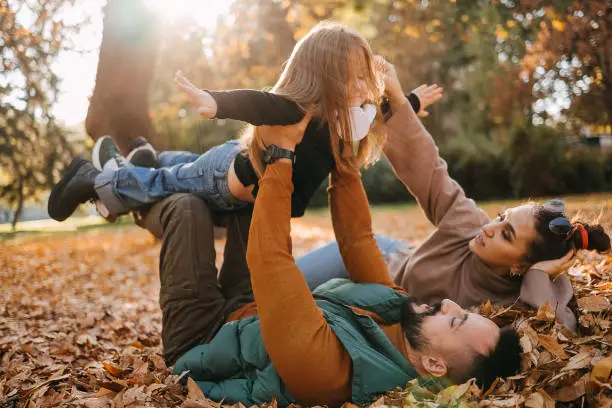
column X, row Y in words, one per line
column 314, row 158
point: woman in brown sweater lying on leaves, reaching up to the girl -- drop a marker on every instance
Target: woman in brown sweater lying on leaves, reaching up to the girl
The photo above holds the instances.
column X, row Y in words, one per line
column 468, row 258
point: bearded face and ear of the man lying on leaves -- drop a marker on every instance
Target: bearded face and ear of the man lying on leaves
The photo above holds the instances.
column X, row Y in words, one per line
column 449, row 333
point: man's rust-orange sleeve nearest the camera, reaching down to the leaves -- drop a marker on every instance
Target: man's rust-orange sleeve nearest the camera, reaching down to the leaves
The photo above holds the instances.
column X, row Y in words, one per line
column 312, row 362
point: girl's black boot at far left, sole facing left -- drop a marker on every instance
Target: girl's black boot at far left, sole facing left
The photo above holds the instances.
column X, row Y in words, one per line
column 75, row 187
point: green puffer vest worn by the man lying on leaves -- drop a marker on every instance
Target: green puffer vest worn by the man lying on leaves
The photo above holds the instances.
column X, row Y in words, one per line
column 235, row 366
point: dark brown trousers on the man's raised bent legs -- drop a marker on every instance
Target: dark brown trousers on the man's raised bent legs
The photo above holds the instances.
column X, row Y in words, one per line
column 194, row 297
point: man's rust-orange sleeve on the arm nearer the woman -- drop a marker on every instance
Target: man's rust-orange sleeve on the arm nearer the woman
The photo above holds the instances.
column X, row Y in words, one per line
column 353, row 228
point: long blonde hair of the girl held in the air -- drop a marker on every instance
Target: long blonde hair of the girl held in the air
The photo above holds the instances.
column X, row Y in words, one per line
column 317, row 74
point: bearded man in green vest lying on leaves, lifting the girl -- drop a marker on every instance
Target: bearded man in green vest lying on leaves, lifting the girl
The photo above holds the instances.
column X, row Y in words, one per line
column 359, row 338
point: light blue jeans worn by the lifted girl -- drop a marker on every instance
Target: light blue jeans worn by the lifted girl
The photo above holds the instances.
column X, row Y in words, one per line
column 205, row 175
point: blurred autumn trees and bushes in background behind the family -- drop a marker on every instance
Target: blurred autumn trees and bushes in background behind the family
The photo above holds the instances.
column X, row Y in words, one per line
column 523, row 80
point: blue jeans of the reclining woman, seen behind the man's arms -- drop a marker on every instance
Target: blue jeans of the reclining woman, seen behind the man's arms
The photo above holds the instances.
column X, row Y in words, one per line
column 326, row 263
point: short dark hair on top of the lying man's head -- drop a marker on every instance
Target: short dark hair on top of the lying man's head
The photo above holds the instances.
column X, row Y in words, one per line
column 504, row 360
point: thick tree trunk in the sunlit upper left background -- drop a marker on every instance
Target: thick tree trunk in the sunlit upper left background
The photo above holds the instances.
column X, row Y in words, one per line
column 119, row 104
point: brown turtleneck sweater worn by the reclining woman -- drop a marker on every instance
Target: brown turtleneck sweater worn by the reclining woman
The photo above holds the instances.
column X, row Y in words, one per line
column 443, row 265
